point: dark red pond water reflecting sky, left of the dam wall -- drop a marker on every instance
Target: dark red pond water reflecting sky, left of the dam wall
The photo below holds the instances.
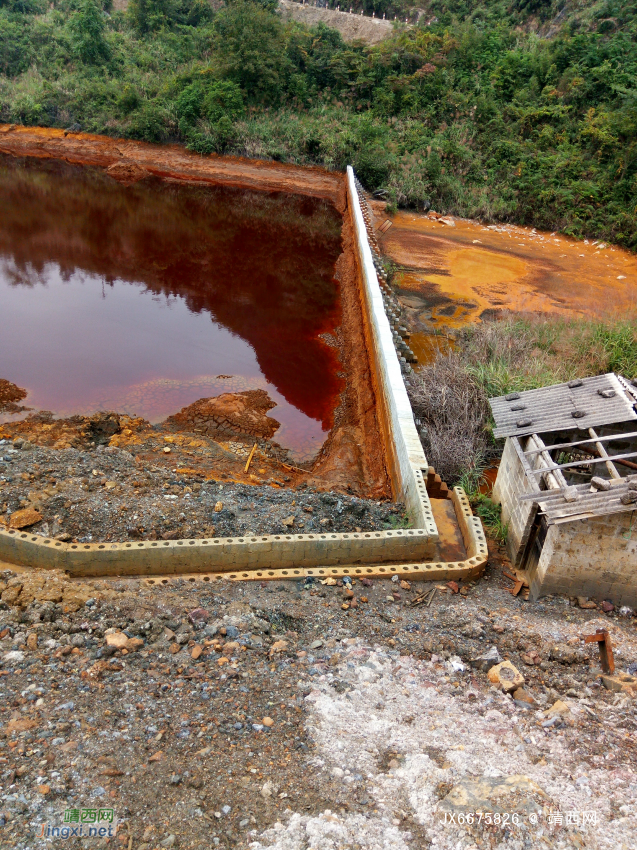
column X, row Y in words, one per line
column 142, row 299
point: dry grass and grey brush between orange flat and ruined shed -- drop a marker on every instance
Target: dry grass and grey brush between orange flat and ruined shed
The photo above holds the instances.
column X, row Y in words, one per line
column 493, row 358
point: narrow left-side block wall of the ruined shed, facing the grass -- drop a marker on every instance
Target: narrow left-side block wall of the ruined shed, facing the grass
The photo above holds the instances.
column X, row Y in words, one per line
column 512, row 482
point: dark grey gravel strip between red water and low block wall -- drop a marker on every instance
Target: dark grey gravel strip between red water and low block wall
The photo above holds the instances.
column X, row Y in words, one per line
column 113, row 494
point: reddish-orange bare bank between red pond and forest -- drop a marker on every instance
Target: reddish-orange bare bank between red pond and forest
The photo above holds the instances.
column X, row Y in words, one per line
column 129, row 161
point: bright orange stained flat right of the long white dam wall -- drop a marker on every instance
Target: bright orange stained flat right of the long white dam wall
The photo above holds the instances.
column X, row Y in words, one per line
column 451, row 274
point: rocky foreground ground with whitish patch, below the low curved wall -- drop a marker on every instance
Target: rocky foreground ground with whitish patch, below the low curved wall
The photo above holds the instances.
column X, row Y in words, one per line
column 281, row 716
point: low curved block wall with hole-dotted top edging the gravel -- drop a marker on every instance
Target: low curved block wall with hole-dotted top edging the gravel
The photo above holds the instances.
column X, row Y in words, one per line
column 378, row 553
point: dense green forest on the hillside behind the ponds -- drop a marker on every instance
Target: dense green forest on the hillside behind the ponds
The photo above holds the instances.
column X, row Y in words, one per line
column 518, row 110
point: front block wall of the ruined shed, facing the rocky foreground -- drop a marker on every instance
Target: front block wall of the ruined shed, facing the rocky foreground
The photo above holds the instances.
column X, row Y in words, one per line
column 590, row 557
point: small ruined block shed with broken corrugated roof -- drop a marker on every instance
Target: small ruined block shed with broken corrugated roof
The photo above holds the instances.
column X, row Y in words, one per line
column 569, row 493
